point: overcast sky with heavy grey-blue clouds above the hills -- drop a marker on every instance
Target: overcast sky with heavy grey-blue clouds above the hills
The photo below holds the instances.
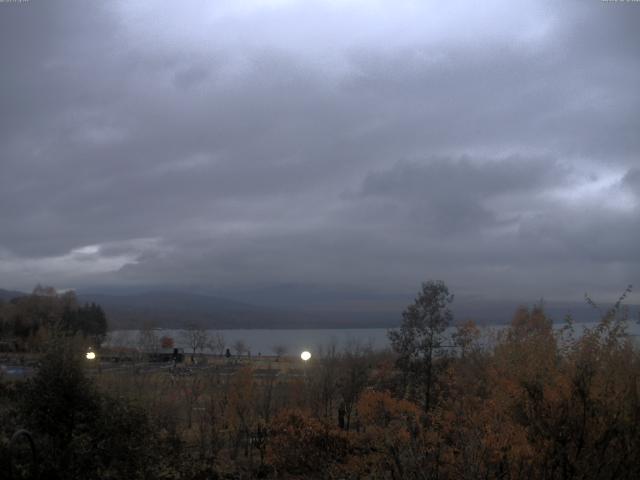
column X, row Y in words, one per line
column 364, row 145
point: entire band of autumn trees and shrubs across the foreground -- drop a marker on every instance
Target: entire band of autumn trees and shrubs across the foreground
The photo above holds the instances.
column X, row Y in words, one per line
column 533, row 400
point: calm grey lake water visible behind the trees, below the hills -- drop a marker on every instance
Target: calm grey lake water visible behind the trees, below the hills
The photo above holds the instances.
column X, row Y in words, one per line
column 264, row 341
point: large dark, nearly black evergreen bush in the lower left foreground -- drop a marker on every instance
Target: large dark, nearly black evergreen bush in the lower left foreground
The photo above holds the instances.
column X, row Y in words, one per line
column 81, row 432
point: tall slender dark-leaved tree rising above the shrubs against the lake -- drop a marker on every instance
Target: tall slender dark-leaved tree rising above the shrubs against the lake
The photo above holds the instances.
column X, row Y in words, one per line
column 420, row 335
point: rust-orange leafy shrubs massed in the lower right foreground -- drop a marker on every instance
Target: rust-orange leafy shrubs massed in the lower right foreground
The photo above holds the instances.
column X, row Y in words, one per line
column 527, row 409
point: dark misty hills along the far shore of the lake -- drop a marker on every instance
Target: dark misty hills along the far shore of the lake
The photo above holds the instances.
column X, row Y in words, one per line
column 318, row 309
